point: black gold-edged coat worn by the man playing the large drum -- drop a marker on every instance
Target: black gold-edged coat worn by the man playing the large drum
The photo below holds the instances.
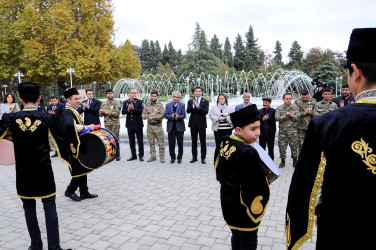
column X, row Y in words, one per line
column 69, row 141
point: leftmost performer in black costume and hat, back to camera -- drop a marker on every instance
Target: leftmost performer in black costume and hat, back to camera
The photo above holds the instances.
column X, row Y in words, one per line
column 34, row 175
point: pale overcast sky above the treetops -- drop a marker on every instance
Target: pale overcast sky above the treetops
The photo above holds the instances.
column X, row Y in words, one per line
column 325, row 24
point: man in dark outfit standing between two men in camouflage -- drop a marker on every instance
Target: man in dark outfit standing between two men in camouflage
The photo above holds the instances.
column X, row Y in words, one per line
column 133, row 108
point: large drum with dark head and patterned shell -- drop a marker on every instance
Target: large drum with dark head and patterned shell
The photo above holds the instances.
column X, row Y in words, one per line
column 97, row 148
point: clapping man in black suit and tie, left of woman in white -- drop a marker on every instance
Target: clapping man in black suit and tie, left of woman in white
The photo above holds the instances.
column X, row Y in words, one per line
column 198, row 107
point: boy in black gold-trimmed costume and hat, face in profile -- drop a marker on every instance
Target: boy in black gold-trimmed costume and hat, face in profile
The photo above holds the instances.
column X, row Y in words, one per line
column 244, row 187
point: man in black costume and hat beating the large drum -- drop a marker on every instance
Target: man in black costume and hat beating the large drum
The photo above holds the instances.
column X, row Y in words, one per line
column 69, row 144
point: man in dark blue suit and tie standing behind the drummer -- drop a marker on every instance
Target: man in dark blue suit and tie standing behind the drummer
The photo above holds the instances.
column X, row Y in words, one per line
column 90, row 107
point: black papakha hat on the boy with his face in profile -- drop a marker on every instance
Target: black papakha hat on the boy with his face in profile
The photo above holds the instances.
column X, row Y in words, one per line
column 245, row 116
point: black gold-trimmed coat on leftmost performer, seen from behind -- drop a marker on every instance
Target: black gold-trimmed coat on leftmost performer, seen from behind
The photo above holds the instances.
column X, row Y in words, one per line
column 34, row 174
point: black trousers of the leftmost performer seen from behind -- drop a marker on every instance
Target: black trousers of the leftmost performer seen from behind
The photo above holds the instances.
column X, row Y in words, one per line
column 52, row 224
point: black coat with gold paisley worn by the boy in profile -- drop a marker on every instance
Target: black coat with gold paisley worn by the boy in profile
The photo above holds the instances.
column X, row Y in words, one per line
column 244, row 188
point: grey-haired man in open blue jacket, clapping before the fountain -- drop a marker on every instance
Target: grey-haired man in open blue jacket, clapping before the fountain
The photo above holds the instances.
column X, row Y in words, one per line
column 175, row 114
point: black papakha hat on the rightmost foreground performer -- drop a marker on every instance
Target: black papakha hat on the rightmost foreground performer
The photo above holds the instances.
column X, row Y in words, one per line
column 362, row 46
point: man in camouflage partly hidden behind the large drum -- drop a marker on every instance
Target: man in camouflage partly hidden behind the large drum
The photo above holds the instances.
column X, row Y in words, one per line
column 110, row 109
